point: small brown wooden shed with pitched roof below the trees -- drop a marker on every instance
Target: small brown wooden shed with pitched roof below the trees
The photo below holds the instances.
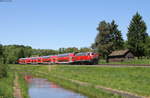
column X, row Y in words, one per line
column 120, row 55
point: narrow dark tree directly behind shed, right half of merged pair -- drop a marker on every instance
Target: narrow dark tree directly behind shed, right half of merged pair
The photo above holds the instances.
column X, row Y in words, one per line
column 116, row 35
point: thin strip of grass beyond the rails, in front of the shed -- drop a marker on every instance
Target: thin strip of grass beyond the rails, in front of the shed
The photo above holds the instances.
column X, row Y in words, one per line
column 134, row 61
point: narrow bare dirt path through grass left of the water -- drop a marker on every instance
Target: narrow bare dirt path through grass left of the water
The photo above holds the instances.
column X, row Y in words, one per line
column 17, row 90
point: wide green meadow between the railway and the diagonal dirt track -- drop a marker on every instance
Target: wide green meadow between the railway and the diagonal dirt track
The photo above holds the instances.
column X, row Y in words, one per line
column 132, row 79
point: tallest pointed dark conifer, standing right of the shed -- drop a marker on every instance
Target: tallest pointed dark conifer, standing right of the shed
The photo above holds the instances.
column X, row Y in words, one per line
column 137, row 35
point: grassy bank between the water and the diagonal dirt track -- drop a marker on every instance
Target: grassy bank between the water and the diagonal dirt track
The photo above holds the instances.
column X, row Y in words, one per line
column 86, row 90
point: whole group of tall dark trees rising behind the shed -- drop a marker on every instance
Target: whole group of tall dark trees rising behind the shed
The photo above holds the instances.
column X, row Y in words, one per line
column 109, row 38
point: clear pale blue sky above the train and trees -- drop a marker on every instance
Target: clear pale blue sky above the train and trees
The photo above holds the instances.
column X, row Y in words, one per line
column 52, row 24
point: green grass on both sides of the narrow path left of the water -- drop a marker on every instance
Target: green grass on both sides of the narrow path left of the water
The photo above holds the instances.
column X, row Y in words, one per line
column 7, row 84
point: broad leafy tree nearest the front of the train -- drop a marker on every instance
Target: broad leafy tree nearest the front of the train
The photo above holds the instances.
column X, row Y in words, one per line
column 103, row 42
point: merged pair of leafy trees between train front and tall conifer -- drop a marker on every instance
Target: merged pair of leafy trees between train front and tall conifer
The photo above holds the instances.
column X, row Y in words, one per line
column 108, row 39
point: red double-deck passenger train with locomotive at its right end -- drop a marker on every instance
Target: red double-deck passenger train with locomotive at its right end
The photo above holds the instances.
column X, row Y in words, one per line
column 88, row 58
